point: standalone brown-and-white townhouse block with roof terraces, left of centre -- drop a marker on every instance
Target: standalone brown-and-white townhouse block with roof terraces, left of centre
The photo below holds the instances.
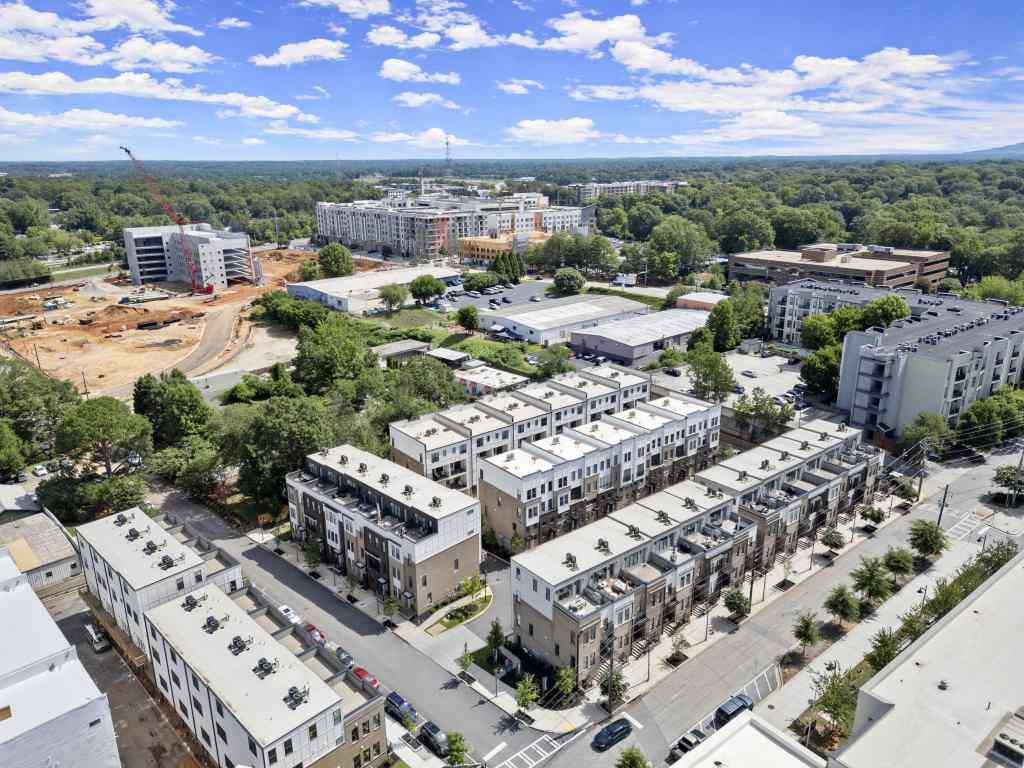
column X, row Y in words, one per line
column 401, row 535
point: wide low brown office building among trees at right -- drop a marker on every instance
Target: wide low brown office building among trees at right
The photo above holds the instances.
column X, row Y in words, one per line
column 879, row 267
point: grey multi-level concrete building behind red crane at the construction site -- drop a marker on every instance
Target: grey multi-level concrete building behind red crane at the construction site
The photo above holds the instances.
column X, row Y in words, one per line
column 220, row 258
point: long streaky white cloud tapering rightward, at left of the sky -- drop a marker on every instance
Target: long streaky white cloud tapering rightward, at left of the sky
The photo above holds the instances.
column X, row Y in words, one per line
column 142, row 86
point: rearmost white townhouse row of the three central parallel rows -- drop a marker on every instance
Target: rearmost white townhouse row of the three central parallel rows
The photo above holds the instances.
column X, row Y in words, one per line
column 447, row 446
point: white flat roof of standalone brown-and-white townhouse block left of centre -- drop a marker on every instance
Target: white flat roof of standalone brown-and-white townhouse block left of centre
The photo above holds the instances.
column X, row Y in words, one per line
column 399, row 479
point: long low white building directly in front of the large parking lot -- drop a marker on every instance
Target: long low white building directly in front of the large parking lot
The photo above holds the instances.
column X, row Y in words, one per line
column 556, row 320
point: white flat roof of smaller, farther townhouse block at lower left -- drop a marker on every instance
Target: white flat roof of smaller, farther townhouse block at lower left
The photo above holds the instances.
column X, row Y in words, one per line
column 109, row 537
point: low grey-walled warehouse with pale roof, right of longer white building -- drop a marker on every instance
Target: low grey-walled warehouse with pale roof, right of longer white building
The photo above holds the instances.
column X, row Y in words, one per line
column 637, row 340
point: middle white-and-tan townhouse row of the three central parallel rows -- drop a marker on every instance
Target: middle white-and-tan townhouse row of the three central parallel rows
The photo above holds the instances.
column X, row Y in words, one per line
column 545, row 488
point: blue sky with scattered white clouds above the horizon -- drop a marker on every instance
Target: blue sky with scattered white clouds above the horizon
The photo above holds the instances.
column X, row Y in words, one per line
column 375, row 79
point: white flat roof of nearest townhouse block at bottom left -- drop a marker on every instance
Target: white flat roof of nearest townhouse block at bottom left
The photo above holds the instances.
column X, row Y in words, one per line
column 259, row 705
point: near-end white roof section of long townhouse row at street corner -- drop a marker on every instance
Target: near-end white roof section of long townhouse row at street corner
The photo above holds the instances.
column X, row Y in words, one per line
column 548, row 561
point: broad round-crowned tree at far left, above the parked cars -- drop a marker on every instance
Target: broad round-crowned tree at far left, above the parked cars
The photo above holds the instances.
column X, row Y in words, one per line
column 106, row 431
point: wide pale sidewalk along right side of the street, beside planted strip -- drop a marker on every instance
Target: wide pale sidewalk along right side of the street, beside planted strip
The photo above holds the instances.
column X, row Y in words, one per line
column 787, row 704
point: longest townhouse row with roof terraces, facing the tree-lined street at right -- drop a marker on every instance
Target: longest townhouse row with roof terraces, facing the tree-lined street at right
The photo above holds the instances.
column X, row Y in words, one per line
column 616, row 584
